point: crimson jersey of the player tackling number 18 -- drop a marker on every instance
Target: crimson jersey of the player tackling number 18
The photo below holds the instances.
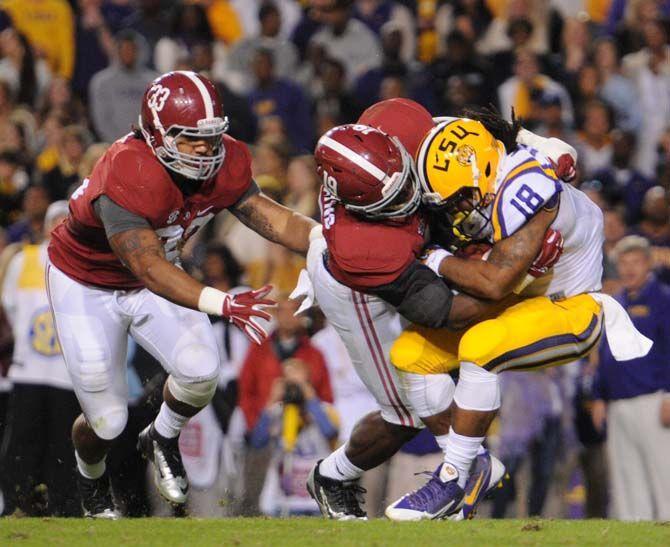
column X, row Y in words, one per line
column 365, row 255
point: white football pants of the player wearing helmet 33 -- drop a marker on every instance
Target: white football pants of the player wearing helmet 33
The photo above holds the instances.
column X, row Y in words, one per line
column 93, row 325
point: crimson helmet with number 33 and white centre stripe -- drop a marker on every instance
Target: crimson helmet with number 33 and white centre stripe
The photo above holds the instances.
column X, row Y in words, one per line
column 184, row 104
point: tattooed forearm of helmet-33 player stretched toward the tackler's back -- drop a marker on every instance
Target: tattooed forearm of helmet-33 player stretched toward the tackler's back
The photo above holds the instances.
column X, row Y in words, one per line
column 275, row 222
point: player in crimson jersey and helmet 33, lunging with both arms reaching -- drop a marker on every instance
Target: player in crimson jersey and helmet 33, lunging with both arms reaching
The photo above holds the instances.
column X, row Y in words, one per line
column 114, row 270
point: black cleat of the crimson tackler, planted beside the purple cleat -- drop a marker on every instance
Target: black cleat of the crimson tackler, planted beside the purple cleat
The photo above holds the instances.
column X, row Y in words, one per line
column 339, row 500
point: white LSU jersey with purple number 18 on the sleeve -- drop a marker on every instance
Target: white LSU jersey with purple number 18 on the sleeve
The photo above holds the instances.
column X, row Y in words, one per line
column 525, row 183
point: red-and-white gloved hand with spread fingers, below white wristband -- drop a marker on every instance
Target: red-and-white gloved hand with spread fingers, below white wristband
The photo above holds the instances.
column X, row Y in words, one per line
column 244, row 309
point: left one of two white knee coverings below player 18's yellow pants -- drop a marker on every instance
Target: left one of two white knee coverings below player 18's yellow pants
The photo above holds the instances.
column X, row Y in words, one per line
column 429, row 394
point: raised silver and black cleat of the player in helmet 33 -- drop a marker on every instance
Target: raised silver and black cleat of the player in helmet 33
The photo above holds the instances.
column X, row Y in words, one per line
column 169, row 473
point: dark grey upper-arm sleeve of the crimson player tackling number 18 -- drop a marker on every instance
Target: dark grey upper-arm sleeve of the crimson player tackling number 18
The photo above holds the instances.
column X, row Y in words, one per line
column 419, row 295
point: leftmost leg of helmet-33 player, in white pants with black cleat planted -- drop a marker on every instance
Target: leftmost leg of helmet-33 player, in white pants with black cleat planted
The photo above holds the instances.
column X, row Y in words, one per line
column 92, row 332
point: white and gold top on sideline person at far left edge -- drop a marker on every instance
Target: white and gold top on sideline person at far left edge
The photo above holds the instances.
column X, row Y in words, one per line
column 37, row 357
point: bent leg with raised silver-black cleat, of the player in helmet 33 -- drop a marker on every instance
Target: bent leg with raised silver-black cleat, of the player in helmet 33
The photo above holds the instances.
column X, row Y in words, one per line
column 182, row 340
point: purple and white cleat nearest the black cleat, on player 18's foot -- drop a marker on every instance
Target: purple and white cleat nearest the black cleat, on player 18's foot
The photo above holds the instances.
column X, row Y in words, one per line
column 438, row 498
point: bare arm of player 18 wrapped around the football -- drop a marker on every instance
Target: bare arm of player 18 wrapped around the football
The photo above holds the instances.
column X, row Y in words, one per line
column 507, row 264
